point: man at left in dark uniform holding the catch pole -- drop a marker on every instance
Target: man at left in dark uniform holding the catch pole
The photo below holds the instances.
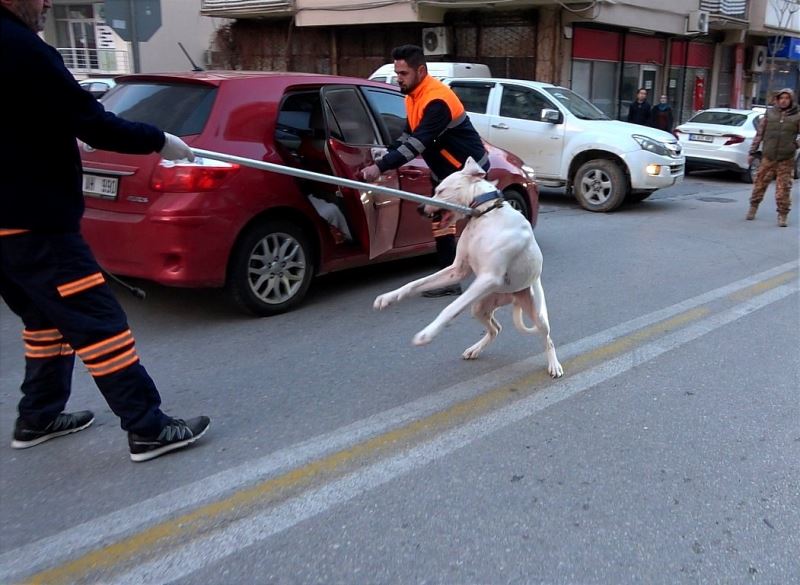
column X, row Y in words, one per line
column 48, row 275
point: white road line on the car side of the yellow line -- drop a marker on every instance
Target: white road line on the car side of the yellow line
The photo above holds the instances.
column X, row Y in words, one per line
column 116, row 525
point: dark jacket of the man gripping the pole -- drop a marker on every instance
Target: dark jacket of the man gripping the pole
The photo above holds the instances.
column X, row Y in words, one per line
column 43, row 111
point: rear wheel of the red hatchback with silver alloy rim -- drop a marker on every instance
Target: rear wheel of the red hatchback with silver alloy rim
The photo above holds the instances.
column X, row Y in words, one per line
column 271, row 268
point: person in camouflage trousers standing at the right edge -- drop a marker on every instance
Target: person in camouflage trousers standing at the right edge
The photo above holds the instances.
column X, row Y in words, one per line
column 778, row 133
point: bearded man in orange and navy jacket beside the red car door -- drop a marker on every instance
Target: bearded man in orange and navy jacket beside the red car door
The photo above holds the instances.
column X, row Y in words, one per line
column 438, row 128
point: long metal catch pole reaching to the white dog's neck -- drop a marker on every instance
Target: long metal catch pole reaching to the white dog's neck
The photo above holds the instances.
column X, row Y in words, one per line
column 303, row 174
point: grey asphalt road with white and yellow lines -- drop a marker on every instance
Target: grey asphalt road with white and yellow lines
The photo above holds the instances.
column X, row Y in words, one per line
column 338, row 453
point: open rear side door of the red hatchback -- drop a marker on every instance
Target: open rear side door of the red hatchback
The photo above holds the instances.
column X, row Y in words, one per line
column 352, row 138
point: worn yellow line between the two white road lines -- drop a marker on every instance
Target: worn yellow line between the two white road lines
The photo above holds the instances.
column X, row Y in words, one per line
column 149, row 539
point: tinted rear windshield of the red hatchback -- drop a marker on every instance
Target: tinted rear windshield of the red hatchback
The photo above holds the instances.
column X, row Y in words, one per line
column 178, row 108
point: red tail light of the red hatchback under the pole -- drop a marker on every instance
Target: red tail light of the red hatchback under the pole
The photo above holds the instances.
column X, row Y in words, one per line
column 185, row 177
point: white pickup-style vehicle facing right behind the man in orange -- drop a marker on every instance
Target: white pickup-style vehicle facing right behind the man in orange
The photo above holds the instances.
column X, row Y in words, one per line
column 570, row 143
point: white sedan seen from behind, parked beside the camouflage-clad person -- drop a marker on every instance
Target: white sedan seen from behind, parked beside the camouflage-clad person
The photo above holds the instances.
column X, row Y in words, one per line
column 721, row 138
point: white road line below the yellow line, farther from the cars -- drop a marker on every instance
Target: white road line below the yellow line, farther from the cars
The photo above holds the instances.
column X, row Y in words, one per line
column 202, row 552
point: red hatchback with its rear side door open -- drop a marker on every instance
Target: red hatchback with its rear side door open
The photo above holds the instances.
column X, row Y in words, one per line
column 262, row 235
